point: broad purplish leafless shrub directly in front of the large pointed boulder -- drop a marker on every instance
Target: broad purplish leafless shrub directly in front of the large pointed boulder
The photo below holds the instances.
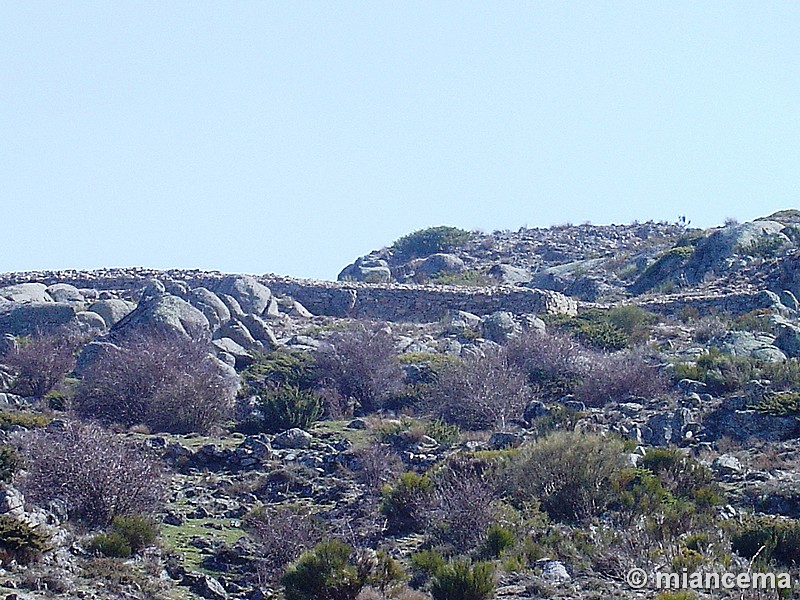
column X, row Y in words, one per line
column 168, row 383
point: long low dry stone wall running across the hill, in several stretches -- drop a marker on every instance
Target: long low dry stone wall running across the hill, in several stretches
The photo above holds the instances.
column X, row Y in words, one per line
column 388, row 301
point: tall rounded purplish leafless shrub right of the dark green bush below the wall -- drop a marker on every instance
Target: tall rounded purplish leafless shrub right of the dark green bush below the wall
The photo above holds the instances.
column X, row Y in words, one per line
column 361, row 364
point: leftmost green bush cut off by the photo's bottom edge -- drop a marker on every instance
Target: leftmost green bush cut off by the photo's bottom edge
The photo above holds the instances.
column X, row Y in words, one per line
column 324, row 573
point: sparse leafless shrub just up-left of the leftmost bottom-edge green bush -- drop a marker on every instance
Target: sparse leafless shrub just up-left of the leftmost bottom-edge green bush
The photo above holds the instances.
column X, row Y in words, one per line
column 282, row 534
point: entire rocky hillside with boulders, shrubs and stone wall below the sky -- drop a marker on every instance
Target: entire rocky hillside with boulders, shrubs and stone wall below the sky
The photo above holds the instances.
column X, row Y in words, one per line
column 529, row 414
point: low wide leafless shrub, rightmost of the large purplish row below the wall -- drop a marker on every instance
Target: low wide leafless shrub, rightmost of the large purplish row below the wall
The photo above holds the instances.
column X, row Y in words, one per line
column 620, row 376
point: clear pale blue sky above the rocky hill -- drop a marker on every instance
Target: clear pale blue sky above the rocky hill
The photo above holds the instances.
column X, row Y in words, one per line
column 293, row 136
